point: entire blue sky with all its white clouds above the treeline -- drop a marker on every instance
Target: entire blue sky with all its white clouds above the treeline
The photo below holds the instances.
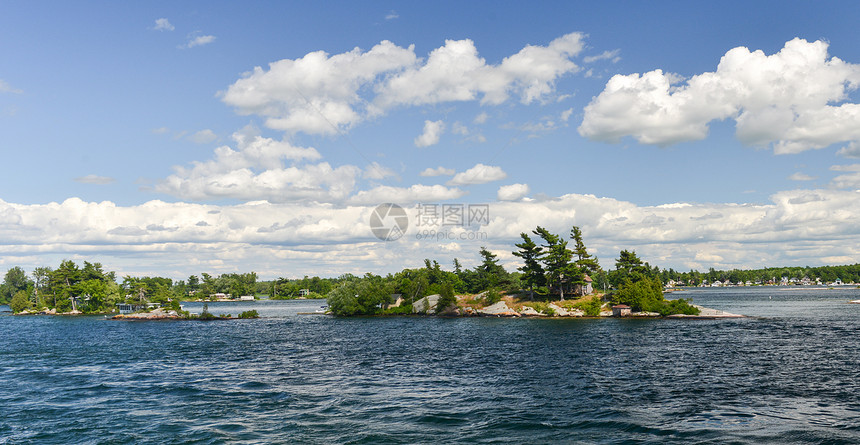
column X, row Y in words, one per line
column 175, row 138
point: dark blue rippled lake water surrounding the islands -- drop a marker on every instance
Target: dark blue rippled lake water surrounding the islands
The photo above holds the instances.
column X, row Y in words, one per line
column 792, row 376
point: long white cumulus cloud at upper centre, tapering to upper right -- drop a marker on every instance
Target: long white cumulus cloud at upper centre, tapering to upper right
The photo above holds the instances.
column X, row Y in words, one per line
column 321, row 93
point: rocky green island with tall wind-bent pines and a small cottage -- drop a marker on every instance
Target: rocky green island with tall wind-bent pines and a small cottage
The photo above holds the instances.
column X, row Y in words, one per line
column 553, row 270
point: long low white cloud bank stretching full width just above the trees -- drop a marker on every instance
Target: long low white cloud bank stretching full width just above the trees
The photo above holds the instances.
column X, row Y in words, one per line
column 796, row 228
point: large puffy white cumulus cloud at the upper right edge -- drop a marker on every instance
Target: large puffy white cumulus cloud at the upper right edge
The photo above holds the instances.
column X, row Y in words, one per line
column 794, row 100
